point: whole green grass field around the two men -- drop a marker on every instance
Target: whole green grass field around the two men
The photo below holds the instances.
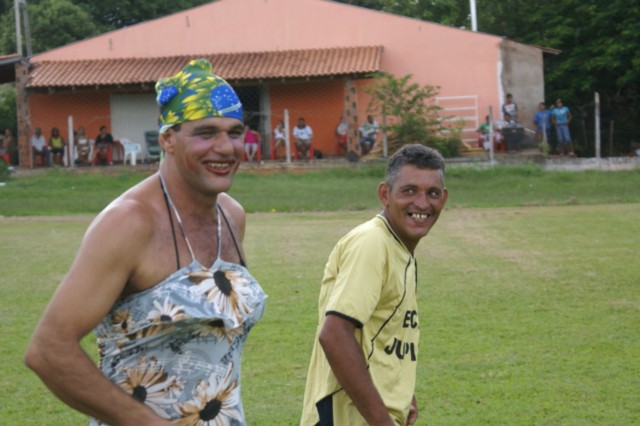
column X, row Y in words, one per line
column 529, row 309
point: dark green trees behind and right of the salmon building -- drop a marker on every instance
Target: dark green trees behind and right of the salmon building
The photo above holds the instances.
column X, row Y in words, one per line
column 598, row 41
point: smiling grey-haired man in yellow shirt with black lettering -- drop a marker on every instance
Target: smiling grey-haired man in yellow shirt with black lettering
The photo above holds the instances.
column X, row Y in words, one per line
column 363, row 364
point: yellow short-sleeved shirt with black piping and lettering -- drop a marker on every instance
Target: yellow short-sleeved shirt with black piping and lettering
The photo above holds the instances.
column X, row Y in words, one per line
column 370, row 277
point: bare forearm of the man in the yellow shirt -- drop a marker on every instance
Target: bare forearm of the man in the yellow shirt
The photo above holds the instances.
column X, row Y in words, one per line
column 348, row 364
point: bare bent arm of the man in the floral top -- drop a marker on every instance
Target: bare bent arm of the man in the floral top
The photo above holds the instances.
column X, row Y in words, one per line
column 96, row 279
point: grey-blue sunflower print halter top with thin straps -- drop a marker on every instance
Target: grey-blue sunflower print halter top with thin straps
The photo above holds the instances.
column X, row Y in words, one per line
column 177, row 346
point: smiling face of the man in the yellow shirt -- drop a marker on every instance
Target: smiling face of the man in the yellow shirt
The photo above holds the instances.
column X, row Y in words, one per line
column 413, row 202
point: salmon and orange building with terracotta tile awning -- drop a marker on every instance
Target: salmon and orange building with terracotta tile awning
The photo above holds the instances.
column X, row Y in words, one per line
column 287, row 58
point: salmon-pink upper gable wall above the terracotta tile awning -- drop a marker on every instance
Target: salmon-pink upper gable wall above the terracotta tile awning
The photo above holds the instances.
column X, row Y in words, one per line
column 461, row 62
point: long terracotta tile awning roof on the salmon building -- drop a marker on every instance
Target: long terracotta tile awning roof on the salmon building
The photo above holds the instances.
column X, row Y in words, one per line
column 290, row 64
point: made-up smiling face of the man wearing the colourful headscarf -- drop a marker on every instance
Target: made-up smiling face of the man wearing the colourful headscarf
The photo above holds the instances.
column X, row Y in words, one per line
column 206, row 152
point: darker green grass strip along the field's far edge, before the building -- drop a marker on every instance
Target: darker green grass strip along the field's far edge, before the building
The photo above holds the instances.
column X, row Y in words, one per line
column 63, row 192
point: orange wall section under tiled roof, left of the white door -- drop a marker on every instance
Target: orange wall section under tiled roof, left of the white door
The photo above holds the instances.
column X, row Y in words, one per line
column 90, row 110
